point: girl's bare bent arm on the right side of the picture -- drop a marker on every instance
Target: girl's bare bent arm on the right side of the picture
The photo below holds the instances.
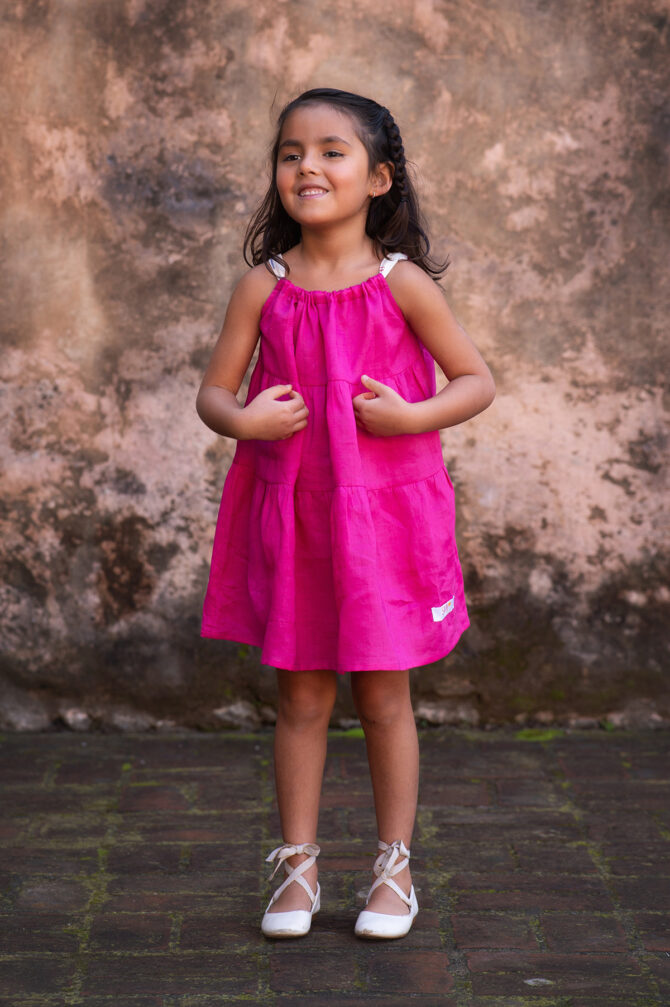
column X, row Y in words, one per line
column 471, row 386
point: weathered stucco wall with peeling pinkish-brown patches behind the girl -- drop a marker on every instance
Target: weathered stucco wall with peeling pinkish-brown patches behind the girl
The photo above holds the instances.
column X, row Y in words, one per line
column 133, row 140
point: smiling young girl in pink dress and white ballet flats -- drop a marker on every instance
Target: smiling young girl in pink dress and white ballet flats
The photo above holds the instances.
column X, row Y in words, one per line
column 335, row 548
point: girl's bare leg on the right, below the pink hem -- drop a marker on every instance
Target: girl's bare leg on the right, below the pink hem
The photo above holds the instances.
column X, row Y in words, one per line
column 384, row 706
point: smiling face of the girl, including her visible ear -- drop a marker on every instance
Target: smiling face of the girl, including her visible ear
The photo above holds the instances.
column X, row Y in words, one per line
column 323, row 172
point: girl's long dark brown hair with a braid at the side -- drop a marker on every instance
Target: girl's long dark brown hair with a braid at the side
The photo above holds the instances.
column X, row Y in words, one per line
column 394, row 220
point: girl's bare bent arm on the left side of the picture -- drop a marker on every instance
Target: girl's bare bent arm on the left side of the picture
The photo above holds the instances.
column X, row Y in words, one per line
column 265, row 418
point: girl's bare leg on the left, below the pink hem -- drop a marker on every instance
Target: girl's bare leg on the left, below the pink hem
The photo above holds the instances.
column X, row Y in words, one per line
column 306, row 704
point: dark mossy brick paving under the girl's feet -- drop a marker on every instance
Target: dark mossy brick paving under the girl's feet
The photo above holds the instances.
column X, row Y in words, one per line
column 132, row 875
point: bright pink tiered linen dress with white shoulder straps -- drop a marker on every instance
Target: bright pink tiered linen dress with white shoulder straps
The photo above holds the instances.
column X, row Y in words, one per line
column 335, row 549
